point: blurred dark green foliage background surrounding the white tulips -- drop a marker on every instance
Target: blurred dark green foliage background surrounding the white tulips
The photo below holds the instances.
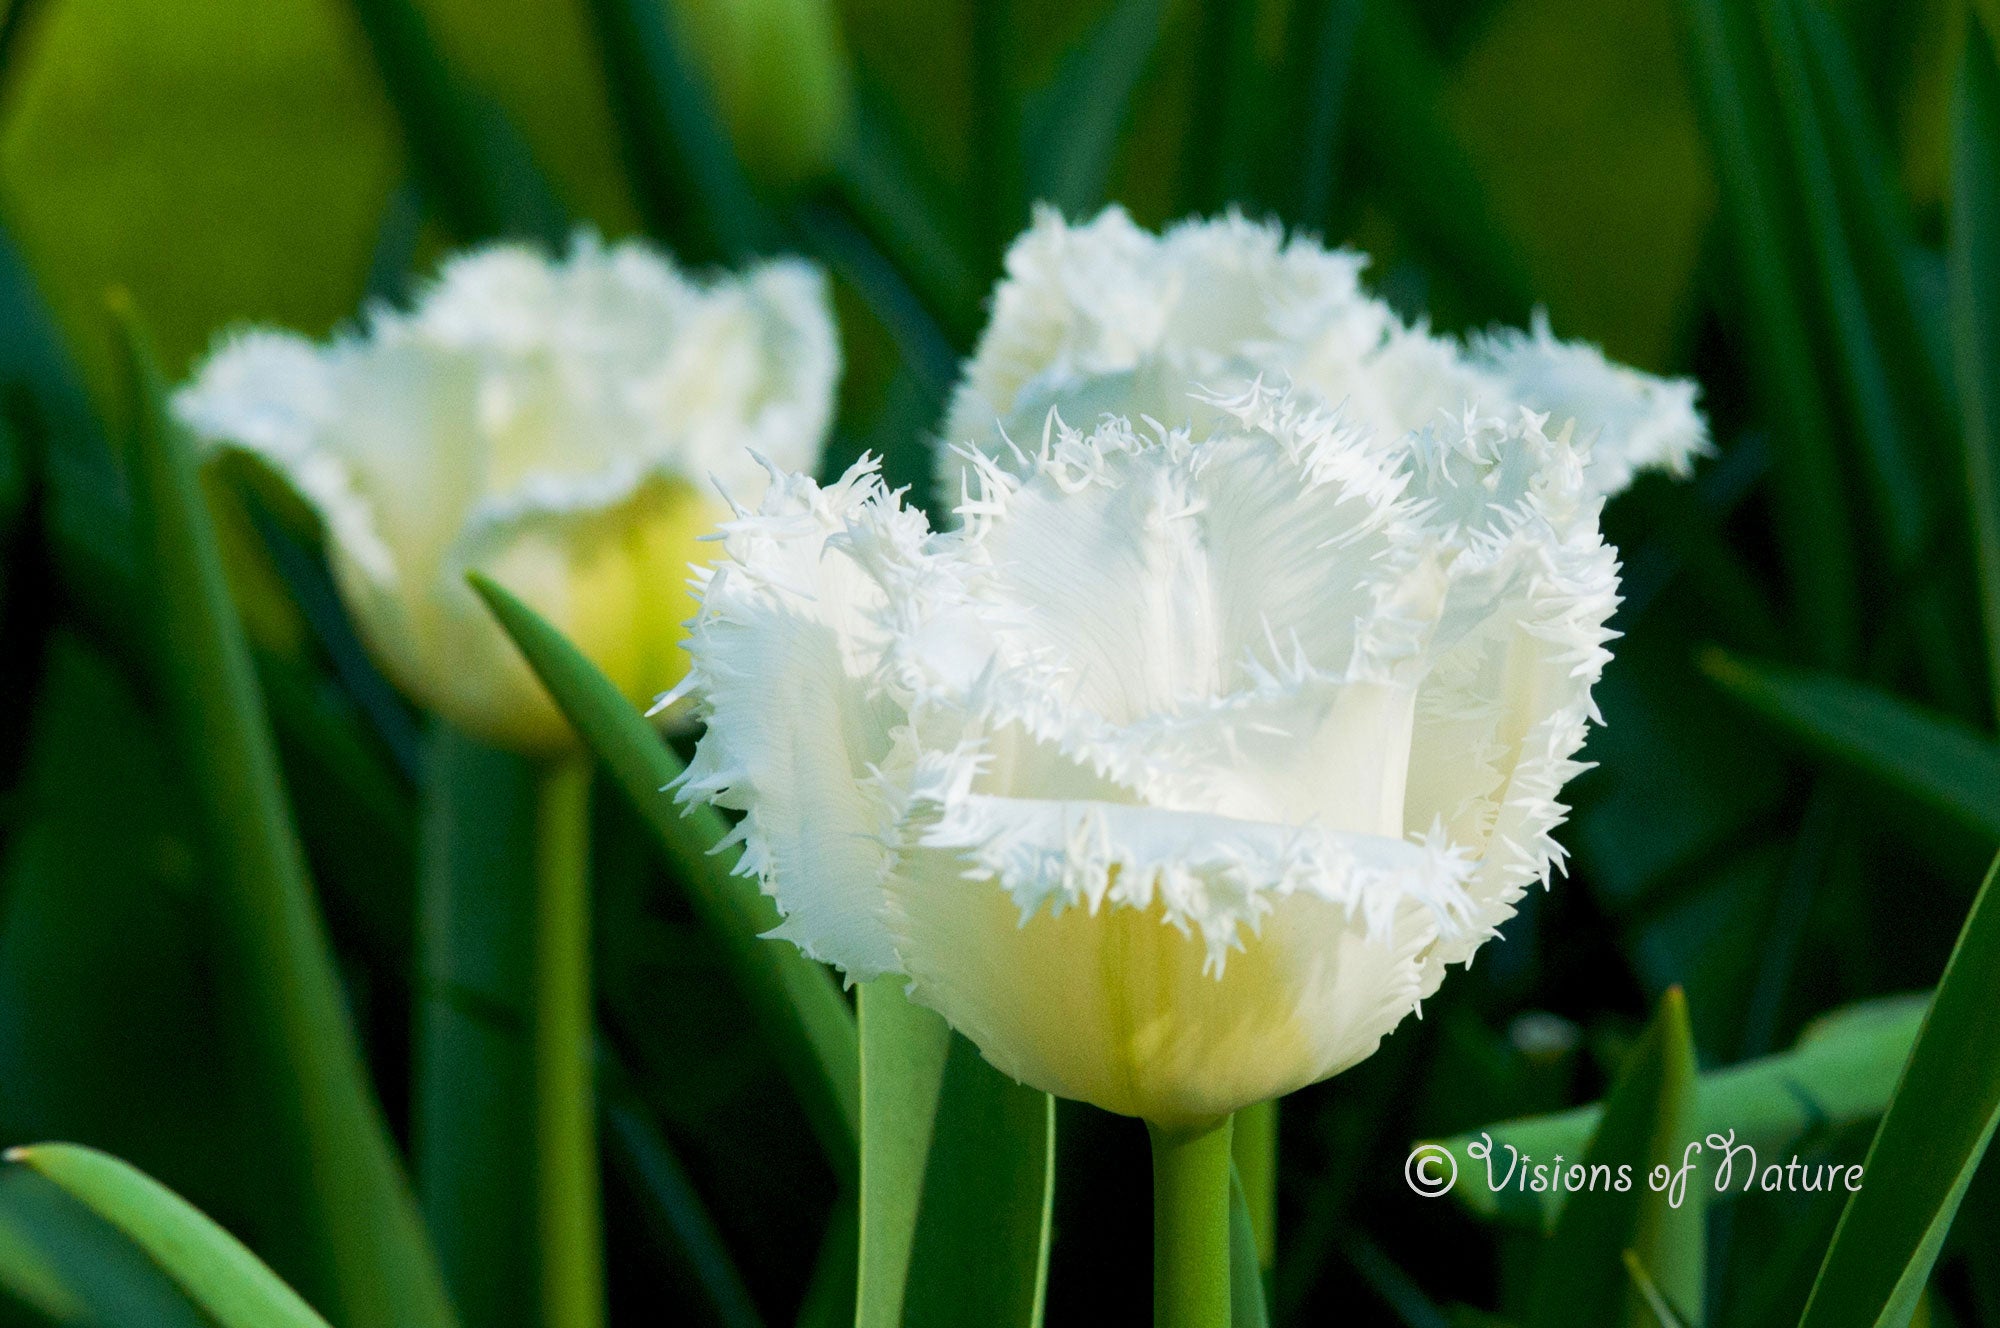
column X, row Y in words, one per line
column 1755, row 193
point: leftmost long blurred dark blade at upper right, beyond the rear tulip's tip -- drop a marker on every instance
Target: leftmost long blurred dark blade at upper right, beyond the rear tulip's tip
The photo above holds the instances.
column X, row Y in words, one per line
column 1809, row 499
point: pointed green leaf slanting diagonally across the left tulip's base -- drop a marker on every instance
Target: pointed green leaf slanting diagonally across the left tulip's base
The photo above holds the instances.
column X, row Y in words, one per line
column 793, row 1001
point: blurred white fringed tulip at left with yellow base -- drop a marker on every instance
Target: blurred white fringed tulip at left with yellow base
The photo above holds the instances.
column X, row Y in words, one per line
column 555, row 425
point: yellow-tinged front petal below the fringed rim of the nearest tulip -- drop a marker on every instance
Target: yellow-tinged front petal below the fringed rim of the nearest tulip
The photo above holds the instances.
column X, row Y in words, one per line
column 1125, row 1011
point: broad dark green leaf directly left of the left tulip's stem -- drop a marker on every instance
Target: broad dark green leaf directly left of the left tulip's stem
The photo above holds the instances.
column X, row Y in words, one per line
column 473, row 1069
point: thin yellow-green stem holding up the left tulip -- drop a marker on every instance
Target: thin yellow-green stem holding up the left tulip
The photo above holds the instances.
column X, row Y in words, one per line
column 565, row 1103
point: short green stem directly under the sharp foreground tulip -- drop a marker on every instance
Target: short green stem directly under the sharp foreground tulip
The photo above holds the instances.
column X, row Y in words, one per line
column 1191, row 1227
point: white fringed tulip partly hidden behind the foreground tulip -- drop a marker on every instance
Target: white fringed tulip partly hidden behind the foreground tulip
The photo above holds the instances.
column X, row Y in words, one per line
column 1105, row 317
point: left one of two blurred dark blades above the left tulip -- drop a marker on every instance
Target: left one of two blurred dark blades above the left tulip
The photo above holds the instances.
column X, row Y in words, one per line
column 471, row 163
